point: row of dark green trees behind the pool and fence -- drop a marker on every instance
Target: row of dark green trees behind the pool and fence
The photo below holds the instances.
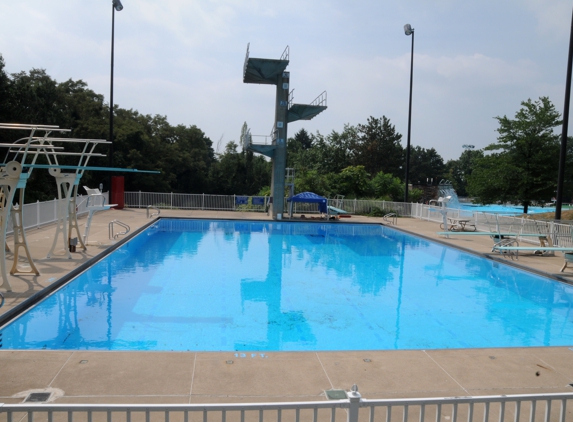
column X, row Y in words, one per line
column 361, row 161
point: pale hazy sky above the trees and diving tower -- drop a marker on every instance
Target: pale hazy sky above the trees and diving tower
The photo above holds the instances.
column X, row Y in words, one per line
column 473, row 60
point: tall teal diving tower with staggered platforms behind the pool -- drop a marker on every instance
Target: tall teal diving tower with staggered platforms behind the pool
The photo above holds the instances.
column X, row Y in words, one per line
column 273, row 72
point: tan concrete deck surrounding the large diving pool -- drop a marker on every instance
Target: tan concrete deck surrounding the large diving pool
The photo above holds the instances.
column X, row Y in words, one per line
column 215, row 377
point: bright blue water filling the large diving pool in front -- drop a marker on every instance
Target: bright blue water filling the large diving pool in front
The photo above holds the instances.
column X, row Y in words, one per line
column 271, row 286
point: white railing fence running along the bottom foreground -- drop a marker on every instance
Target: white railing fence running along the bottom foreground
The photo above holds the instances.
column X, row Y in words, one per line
column 530, row 407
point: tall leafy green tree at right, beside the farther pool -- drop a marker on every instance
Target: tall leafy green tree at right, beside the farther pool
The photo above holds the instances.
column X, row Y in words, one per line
column 523, row 166
